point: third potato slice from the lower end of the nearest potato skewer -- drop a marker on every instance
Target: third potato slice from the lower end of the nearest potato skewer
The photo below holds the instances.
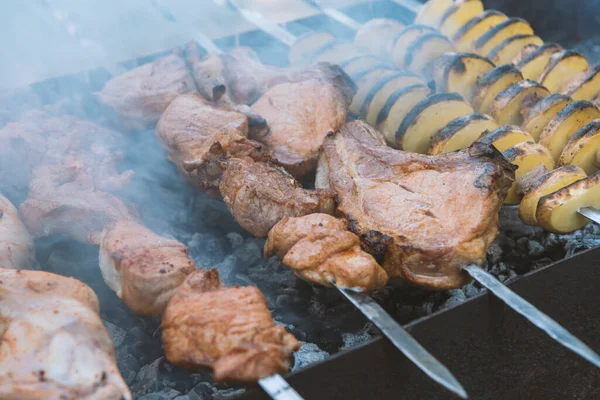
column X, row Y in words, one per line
column 527, row 156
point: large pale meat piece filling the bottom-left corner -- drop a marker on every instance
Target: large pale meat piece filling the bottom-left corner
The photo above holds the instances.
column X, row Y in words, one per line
column 52, row 341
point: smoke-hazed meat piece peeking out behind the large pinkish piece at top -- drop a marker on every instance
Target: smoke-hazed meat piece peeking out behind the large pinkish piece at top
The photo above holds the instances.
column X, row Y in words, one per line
column 245, row 79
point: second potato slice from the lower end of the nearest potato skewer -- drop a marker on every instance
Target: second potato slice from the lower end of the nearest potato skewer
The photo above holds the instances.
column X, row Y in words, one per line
column 546, row 184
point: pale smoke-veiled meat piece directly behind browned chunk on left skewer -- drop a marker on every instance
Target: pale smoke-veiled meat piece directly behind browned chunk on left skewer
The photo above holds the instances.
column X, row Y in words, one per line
column 65, row 200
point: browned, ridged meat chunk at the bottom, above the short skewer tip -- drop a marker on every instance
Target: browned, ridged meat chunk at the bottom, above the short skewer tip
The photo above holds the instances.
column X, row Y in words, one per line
column 227, row 329
